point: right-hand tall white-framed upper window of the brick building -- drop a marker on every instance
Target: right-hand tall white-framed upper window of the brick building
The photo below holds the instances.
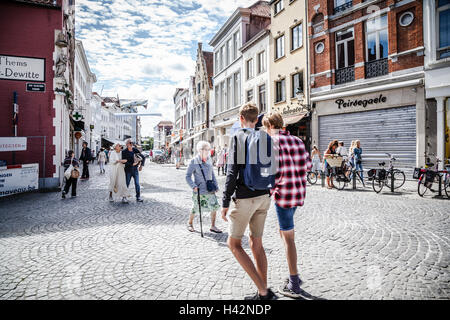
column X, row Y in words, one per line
column 377, row 38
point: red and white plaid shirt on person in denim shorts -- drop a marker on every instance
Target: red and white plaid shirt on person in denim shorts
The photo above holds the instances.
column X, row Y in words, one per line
column 294, row 163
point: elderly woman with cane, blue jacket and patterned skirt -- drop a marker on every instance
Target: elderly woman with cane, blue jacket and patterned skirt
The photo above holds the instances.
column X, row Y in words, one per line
column 204, row 185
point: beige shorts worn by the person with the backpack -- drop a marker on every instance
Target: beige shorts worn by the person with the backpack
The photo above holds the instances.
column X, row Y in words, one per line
column 249, row 212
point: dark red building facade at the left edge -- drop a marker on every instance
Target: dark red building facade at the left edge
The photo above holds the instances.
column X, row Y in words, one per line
column 36, row 67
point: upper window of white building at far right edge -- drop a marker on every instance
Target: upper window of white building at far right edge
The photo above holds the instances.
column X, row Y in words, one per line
column 443, row 27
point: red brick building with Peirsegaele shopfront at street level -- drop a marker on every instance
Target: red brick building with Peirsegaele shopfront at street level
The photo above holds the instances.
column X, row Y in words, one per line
column 367, row 77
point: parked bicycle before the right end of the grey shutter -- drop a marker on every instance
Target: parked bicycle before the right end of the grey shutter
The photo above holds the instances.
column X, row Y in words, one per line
column 382, row 177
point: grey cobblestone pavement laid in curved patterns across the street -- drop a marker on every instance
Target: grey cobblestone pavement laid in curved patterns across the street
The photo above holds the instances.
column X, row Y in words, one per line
column 351, row 244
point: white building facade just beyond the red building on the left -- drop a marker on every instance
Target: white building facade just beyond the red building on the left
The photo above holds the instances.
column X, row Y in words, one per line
column 84, row 80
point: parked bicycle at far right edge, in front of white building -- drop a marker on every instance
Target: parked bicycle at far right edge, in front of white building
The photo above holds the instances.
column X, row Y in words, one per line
column 428, row 176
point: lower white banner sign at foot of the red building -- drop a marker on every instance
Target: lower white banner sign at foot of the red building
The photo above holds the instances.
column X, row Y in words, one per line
column 18, row 179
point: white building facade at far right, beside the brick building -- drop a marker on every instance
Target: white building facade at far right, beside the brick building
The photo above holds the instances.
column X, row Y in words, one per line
column 436, row 18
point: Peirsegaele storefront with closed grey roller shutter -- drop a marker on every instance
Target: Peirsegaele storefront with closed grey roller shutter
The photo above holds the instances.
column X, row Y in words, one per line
column 385, row 121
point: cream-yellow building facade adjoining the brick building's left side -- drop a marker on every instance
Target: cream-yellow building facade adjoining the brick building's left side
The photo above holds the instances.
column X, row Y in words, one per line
column 289, row 65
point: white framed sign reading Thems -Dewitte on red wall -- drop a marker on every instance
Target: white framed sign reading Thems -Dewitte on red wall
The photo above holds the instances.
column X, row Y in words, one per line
column 22, row 68
